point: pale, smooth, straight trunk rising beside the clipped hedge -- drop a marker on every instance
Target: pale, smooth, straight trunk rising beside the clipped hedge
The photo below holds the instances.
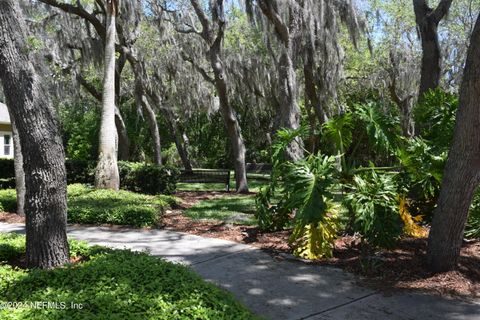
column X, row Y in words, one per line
column 106, row 175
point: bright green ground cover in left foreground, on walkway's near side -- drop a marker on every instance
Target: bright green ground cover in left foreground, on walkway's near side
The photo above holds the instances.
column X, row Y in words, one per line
column 109, row 284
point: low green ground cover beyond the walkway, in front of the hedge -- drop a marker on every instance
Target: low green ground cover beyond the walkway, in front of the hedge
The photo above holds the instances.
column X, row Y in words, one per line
column 90, row 206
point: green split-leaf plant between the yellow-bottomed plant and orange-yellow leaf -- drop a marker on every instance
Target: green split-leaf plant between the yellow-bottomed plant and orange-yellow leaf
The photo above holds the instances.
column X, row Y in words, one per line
column 372, row 201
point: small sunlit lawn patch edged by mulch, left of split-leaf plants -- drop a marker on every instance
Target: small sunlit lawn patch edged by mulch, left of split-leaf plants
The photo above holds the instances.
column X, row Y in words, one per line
column 230, row 209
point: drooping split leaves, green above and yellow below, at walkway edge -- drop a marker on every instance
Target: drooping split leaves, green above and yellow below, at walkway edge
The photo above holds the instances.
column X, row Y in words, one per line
column 308, row 185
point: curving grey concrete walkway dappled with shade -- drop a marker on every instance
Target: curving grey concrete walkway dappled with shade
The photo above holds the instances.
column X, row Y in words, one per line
column 276, row 289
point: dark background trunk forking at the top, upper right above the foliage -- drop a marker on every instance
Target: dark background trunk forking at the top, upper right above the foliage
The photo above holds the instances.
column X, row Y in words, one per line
column 427, row 21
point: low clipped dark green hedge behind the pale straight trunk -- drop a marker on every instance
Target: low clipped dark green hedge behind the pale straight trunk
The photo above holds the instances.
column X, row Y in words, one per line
column 138, row 177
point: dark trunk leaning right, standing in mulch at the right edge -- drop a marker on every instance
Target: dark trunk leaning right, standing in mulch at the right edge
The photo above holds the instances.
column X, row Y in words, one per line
column 462, row 171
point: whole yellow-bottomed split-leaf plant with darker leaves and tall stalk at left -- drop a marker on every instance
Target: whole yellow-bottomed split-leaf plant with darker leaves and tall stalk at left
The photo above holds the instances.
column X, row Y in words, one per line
column 302, row 191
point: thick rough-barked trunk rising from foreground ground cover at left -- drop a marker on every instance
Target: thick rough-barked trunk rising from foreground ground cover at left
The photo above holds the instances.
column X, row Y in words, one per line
column 43, row 154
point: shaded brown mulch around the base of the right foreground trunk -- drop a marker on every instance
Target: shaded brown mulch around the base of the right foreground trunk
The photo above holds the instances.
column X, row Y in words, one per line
column 404, row 267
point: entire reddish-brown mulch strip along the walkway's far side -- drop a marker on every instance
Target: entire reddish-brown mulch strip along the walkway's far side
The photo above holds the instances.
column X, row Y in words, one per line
column 402, row 267
